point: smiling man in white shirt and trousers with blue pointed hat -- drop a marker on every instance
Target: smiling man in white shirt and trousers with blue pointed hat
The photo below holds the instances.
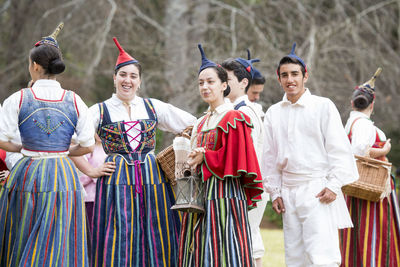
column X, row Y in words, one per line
column 306, row 160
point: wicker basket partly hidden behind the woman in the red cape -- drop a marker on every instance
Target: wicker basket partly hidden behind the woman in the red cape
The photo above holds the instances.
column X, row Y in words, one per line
column 166, row 158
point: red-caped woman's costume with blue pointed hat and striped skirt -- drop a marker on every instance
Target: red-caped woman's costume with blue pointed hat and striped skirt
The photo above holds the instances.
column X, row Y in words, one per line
column 231, row 178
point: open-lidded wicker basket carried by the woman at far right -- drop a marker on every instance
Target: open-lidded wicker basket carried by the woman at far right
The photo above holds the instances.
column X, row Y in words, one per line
column 372, row 181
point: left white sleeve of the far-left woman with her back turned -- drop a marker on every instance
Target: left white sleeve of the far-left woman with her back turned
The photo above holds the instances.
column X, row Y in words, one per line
column 9, row 117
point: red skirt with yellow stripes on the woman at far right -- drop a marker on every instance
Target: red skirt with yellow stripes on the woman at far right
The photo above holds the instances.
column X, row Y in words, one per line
column 375, row 238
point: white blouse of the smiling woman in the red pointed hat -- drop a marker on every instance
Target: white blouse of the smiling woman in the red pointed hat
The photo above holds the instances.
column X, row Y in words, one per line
column 170, row 118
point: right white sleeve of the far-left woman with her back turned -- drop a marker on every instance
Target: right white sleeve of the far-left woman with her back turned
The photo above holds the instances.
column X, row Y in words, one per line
column 84, row 128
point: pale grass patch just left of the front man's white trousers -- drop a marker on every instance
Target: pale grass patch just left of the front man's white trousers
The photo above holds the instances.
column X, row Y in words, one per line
column 274, row 252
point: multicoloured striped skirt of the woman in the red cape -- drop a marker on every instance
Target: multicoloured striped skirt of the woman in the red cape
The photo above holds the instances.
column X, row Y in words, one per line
column 221, row 236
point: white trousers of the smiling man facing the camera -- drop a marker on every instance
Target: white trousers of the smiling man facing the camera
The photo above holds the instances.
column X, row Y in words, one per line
column 311, row 238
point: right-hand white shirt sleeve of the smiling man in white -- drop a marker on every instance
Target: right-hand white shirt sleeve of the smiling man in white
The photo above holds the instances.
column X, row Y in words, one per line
column 342, row 165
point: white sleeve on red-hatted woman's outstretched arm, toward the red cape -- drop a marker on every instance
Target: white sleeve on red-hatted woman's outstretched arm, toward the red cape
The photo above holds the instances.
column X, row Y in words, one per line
column 170, row 118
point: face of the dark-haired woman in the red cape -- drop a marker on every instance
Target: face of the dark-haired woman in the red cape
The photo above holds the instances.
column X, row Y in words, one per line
column 211, row 88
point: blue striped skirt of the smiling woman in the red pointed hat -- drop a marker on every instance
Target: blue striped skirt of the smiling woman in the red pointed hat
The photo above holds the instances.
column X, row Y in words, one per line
column 133, row 224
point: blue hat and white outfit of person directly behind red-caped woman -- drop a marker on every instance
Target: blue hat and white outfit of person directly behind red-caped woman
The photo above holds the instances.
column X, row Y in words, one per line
column 244, row 105
